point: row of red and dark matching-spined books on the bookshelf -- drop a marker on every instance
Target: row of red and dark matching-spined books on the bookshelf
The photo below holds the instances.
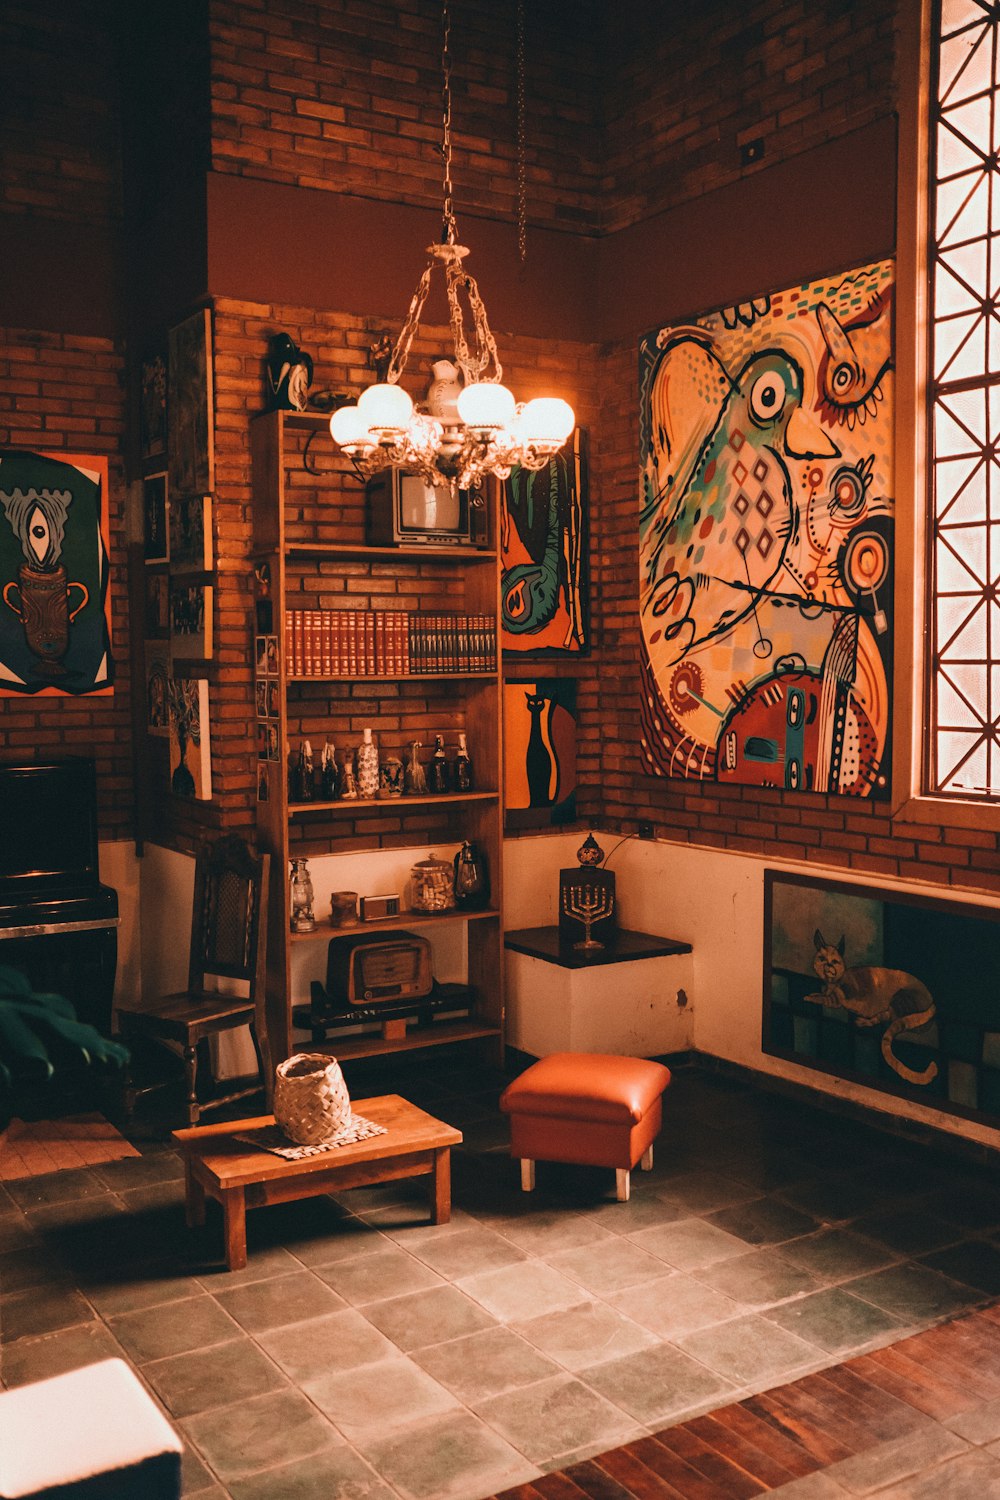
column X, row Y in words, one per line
column 388, row 643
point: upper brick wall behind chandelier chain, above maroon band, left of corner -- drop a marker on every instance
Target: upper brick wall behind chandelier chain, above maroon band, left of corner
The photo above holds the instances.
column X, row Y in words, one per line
column 349, row 100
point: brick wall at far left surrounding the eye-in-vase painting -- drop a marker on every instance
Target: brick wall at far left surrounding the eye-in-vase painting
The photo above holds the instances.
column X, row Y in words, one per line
column 64, row 394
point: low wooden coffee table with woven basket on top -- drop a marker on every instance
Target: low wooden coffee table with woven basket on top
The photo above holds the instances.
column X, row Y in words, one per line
column 242, row 1177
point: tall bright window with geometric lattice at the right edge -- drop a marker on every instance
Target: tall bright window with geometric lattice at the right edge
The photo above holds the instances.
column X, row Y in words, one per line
column 965, row 749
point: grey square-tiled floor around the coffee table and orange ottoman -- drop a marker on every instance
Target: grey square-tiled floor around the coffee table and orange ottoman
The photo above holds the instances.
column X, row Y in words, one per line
column 365, row 1354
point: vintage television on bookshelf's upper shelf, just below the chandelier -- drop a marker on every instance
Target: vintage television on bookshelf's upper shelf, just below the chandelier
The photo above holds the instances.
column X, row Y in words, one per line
column 404, row 509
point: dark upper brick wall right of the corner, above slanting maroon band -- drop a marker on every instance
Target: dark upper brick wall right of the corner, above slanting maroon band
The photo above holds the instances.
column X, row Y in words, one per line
column 689, row 86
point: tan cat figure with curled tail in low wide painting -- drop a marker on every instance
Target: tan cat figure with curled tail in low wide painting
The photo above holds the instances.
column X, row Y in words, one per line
column 876, row 997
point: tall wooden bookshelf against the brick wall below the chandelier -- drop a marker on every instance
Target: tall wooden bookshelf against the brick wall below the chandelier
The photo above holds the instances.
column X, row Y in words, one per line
column 446, row 599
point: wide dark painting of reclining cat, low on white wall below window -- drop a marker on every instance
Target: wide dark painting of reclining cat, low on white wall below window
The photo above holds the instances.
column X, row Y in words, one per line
column 891, row 991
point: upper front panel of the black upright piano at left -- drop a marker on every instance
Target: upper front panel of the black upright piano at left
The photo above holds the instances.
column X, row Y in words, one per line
column 49, row 827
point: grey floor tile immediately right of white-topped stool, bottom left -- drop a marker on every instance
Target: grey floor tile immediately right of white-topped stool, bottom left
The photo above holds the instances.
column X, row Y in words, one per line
column 262, row 1433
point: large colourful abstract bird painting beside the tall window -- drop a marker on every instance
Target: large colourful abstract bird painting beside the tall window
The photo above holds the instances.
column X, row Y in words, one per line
column 767, row 512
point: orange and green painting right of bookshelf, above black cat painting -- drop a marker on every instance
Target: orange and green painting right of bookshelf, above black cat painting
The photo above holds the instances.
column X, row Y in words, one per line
column 545, row 556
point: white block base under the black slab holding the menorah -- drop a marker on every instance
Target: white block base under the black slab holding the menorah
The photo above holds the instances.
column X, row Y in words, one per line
column 627, row 1007
